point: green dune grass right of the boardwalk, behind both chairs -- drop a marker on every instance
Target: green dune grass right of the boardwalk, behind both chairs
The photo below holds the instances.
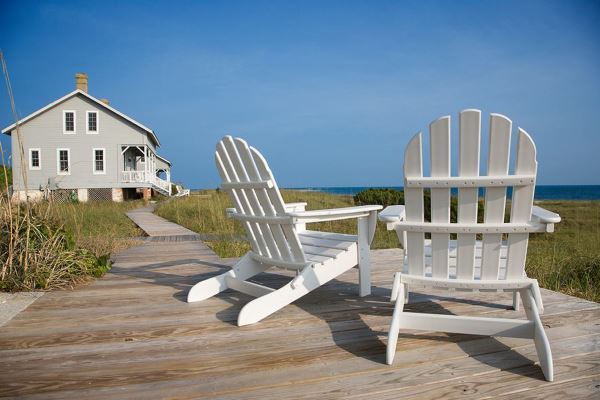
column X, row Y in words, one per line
column 567, row 260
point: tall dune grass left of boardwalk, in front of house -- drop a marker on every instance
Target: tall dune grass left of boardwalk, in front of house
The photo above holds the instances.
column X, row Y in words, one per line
column 54, row 246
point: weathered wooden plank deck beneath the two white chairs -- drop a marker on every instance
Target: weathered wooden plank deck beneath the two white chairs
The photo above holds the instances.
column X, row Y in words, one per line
column 132, row 335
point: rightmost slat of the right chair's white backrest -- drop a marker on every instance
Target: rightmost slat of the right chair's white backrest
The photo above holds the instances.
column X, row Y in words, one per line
column 522, row 202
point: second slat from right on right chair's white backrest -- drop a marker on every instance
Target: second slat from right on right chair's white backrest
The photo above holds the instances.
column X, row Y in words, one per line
column 495, row 197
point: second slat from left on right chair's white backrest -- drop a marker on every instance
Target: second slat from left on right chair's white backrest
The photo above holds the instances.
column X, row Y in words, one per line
column 439, row 132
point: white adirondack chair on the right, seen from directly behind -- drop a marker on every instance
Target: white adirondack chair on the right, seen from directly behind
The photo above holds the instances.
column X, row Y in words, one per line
column 469, row 264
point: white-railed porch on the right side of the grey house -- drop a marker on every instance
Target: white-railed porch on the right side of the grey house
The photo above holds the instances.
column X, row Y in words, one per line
column 141, row 165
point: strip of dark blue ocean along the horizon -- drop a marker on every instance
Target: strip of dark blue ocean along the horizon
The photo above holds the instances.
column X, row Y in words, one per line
column 542, row 192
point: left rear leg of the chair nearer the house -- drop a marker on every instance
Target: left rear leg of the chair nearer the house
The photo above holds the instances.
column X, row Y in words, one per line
column 242, row 270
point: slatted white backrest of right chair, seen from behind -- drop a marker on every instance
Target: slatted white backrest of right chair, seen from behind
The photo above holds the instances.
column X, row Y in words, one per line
column 468, row 183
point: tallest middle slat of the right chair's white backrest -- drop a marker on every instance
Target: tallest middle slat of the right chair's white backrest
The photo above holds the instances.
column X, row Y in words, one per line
column 468, row 165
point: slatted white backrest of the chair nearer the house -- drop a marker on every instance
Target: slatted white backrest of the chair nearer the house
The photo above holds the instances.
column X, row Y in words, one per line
column 259, row 206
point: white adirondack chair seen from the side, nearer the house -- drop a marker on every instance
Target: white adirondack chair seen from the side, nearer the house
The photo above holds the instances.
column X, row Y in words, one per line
column 278, row 236
